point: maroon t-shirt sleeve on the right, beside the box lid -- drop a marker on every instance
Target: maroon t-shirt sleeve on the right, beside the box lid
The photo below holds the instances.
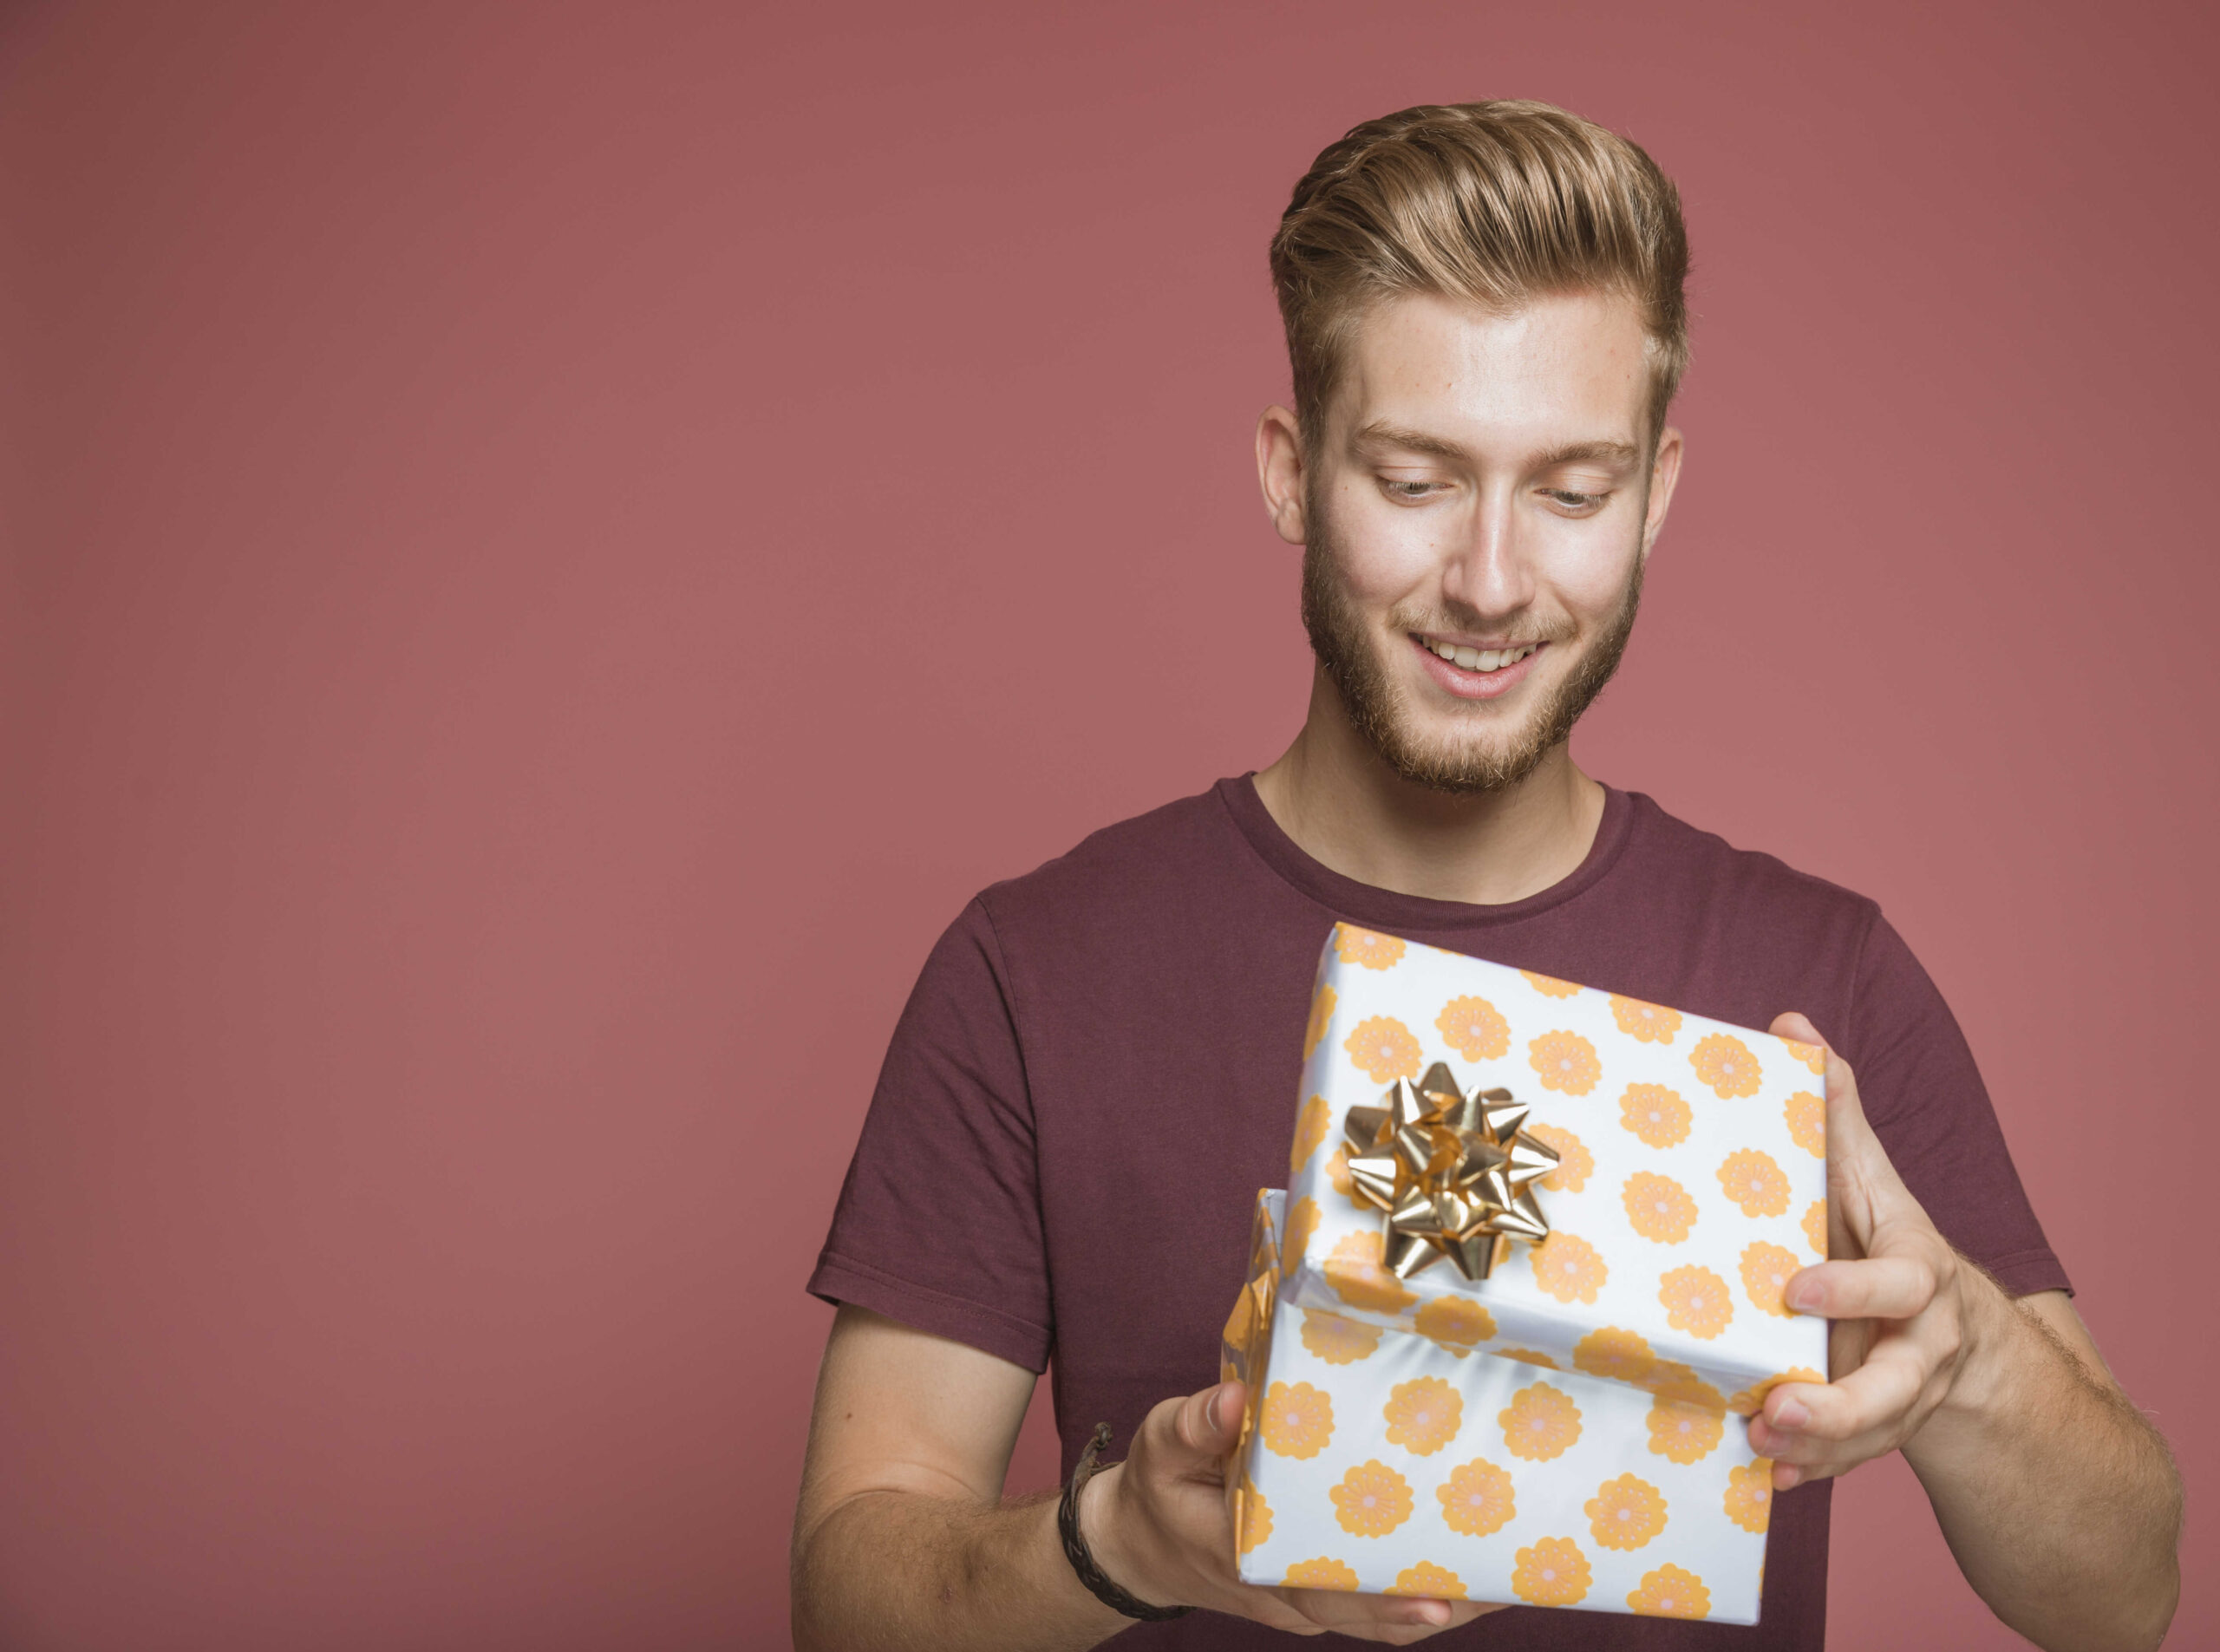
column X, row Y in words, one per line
column 1926, row 1100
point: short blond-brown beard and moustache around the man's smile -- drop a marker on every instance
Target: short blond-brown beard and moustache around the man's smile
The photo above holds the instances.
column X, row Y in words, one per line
column 1380, row 709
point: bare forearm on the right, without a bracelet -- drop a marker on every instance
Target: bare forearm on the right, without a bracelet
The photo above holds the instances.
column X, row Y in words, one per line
column 2057, row 1498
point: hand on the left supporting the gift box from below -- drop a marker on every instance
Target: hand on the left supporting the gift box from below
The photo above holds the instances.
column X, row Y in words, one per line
column 1158, row 1527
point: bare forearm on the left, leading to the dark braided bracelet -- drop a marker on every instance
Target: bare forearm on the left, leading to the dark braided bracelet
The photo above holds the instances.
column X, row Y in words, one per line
column 902, row 1573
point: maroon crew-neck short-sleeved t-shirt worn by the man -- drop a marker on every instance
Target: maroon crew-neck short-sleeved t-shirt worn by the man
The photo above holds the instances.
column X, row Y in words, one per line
column 1100, row 1069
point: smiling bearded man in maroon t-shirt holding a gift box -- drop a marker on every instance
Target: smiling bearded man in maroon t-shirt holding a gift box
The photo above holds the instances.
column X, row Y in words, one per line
column 1098, row 1069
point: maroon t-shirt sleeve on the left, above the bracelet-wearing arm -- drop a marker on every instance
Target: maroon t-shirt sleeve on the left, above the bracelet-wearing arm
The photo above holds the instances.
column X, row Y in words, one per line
column 940, row 1218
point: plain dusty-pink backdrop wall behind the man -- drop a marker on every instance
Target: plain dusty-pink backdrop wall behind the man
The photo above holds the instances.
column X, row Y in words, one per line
column 552, row 550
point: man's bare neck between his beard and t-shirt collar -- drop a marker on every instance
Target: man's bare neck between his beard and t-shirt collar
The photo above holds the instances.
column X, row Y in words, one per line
column 1346, row 809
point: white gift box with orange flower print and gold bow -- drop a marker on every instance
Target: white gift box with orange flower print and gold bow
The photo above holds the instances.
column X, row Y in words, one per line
column 1520, row 1291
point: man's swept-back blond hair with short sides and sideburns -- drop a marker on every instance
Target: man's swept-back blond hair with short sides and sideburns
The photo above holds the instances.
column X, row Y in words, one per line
column 1497, row 203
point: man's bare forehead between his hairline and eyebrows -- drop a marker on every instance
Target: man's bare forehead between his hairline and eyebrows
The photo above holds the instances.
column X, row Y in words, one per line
column 1560, row 370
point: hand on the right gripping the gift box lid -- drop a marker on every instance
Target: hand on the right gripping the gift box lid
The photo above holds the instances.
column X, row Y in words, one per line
column 1906, row 1307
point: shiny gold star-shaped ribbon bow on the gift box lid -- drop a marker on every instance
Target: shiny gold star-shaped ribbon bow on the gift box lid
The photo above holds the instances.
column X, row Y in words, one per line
column 1455, row 1173
